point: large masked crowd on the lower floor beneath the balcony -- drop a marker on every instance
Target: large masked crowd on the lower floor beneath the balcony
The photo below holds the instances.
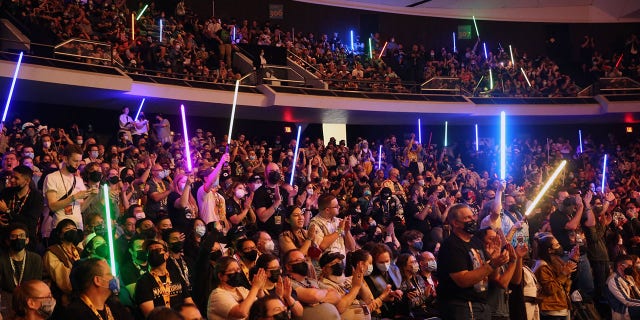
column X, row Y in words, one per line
column 426, row 233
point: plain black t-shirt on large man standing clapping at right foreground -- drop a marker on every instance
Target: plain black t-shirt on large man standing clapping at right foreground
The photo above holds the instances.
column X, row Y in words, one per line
column 457, row 255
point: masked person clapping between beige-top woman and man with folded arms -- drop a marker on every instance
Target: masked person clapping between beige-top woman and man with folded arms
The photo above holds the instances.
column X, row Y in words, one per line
column 276, row 284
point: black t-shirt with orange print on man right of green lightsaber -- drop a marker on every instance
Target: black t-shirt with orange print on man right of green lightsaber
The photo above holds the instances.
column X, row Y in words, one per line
column 147, row 289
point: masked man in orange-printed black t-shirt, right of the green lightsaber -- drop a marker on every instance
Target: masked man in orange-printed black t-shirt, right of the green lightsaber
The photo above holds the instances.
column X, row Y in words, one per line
column 159, row 287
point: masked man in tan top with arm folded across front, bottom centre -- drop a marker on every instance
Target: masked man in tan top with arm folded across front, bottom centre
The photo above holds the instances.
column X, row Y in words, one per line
column 319, row 301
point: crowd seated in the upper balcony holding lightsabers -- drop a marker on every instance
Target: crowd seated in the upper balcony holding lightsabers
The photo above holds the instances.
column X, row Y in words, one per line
column 198, row 48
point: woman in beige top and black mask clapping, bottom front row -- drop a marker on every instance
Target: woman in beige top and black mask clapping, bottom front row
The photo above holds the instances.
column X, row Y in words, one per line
column 230, row 300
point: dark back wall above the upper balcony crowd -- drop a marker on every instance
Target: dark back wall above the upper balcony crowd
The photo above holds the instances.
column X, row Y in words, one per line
column 430, row 31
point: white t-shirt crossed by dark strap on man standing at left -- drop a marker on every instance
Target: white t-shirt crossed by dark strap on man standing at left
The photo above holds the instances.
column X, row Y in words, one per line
column 59, row 184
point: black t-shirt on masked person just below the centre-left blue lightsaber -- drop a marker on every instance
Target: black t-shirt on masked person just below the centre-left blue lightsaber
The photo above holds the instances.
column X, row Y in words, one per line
column 264, row 198
